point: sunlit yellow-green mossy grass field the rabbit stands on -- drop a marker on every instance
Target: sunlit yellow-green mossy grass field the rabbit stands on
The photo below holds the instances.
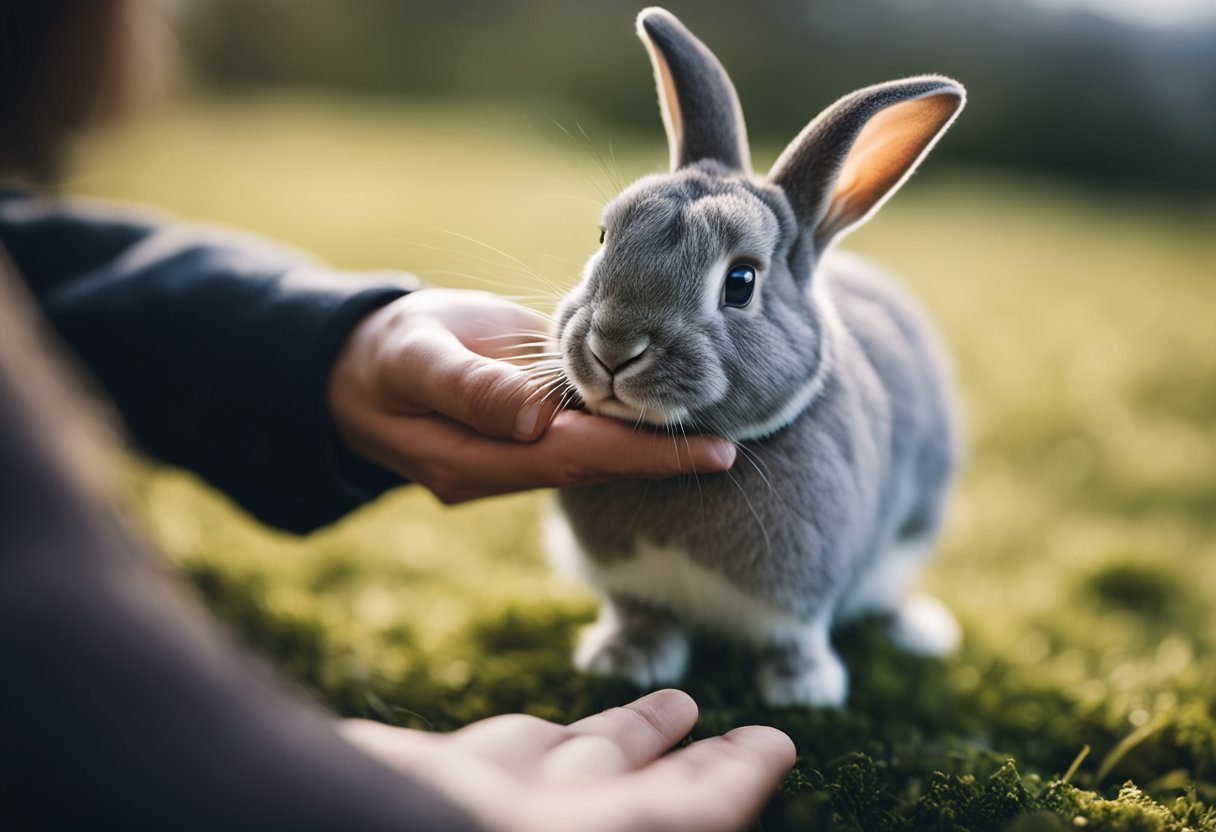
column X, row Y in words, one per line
column 1082, row 547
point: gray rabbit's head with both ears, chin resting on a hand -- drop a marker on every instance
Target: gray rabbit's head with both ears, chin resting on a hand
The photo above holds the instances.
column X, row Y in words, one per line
column 700, row 310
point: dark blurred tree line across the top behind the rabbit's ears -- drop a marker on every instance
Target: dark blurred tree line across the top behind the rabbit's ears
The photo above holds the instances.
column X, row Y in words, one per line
column 1068, row 94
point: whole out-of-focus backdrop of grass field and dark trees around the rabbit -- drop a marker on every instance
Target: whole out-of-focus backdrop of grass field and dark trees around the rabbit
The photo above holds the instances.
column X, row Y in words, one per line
column 1063, row 235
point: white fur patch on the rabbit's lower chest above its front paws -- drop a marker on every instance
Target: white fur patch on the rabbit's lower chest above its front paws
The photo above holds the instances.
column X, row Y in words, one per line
column 668, row 578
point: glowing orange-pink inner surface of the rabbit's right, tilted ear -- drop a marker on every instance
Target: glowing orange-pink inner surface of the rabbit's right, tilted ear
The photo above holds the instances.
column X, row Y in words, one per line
column 885, row 153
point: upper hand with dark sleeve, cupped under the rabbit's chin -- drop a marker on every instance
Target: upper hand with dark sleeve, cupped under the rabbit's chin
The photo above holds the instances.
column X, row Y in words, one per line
column 425, row 387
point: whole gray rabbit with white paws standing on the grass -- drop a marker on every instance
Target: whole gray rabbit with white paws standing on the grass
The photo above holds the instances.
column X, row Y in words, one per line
column 717, row 305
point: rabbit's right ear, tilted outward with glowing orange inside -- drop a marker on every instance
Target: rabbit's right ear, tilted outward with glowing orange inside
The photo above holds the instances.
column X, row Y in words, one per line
column 846, row 164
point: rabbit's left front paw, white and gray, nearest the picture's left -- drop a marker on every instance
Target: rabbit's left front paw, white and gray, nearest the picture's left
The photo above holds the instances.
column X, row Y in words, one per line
column 650, row 656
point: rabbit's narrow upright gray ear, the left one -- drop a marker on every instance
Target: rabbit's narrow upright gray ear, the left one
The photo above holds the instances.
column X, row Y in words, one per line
column 701, row 110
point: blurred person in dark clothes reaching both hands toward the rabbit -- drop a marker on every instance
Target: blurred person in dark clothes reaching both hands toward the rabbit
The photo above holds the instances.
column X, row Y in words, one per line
column 301, row 392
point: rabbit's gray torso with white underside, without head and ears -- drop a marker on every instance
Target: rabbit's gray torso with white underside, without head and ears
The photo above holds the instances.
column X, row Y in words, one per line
column 797, row 535
